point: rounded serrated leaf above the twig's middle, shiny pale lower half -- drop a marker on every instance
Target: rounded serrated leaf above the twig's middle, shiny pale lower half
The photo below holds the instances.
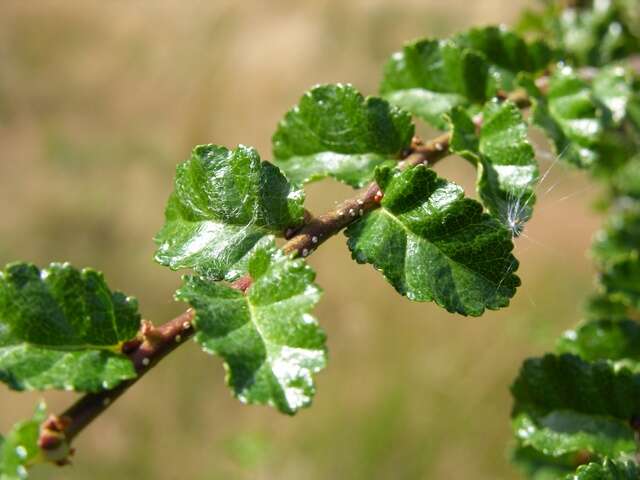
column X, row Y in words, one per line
column 335, row 131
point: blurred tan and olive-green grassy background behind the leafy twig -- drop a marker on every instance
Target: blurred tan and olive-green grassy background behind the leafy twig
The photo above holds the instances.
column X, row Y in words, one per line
column 98, row 103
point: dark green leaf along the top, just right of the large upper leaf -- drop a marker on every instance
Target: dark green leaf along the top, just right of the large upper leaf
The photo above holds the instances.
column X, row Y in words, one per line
column 507, row 53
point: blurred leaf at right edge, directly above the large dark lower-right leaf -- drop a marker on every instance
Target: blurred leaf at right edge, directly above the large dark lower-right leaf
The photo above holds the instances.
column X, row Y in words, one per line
column 618, row 341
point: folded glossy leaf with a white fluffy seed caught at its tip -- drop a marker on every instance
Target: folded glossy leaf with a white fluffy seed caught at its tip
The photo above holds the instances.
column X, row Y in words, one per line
column 507, row 169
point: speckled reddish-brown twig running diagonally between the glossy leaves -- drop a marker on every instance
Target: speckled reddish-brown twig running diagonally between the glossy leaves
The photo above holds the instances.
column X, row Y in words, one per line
column 154, row 343
